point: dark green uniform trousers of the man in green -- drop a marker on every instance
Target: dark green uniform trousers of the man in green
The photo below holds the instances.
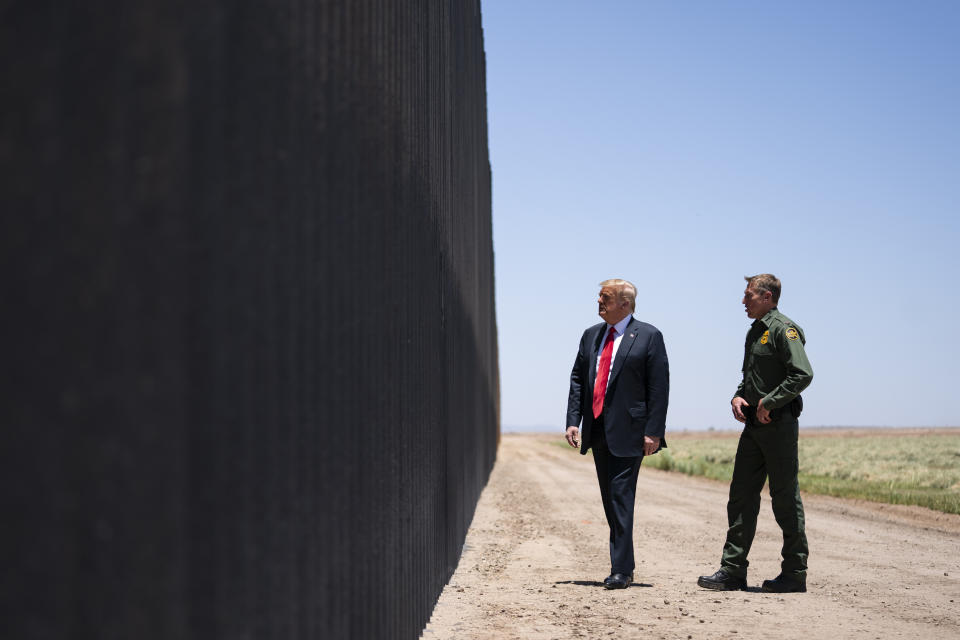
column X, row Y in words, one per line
column 766, row 450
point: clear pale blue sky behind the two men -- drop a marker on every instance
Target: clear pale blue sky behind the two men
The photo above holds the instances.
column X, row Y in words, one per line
column 683, row 145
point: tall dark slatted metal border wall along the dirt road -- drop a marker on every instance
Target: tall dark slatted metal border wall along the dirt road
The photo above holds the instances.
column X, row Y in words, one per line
column 249, row 387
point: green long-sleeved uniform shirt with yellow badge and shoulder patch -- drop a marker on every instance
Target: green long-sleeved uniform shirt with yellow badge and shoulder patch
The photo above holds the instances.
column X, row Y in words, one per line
column 775, row 365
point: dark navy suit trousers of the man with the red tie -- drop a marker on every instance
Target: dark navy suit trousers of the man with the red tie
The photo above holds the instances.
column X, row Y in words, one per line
column 618, row 488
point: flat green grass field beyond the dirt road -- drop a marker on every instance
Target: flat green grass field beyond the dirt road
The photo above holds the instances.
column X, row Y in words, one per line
column 911, row 466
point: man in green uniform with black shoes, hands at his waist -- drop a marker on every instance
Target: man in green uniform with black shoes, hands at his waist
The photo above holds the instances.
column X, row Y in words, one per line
column 768, row 402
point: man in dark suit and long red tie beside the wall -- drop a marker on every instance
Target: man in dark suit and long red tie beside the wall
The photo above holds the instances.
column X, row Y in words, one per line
column 619, row 388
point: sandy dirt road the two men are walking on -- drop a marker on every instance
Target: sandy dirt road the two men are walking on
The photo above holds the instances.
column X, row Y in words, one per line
column 536, row 552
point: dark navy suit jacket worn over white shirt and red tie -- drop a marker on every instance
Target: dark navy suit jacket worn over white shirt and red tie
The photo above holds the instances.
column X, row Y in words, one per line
column 637, row 390
